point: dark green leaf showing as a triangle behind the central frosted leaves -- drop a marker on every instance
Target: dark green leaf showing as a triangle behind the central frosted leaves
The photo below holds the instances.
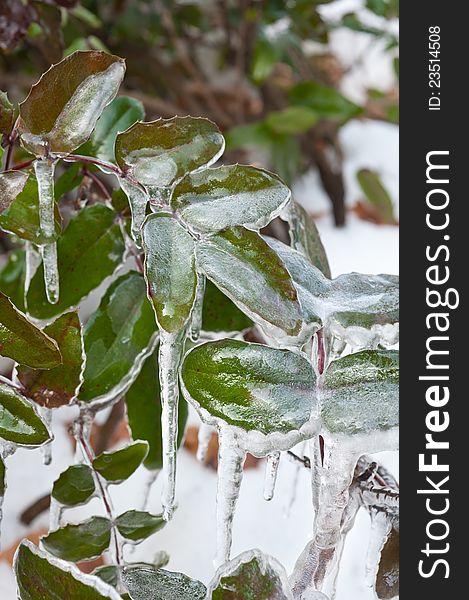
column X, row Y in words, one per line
column 220, row 314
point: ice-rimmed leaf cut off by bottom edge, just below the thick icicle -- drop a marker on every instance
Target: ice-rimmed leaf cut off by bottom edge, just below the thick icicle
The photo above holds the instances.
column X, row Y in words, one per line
column 250, row 576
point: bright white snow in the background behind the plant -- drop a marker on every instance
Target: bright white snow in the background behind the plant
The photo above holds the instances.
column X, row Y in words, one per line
column 281, row 527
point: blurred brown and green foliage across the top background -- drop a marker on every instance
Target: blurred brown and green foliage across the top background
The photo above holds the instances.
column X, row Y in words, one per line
column 262, row 70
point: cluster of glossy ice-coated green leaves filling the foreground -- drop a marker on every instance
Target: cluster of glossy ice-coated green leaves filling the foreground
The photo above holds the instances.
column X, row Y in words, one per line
column 201, row 265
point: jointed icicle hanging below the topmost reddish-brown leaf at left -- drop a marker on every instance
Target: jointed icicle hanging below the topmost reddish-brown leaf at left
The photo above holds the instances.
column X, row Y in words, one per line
column 44, row 170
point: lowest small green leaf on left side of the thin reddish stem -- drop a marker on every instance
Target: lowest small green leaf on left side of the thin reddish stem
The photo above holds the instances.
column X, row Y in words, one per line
column 80, row 542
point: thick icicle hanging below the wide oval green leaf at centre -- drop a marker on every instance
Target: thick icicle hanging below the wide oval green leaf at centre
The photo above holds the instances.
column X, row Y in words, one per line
column 231, row 457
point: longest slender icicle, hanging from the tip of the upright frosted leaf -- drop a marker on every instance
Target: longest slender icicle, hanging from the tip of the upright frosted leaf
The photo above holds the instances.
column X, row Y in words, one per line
column 171, row 349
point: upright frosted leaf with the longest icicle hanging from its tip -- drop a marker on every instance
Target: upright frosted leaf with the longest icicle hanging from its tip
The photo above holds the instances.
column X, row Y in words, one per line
column 169, row 270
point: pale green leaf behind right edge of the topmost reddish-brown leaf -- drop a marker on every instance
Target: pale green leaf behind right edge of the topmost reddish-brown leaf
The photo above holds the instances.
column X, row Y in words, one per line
column 117, row 117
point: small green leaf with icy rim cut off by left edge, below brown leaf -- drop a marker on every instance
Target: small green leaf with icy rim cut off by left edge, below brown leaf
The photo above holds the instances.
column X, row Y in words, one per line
column 19, row 421
